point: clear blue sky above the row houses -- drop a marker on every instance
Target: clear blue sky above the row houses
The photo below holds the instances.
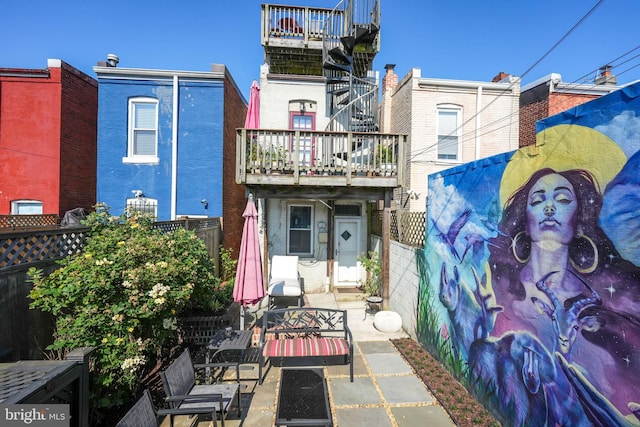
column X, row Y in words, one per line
column 464, row 39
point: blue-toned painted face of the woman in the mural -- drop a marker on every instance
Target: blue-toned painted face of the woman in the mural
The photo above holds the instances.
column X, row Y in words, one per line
column 551, row 209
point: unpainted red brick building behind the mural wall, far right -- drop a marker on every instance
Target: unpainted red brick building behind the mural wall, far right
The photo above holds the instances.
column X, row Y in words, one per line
column 550, row 95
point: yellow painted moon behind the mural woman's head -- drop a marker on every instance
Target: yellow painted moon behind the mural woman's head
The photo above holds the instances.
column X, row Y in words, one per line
column 561, row 148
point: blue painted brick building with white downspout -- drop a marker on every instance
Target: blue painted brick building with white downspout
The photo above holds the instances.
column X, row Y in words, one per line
column 166, row 141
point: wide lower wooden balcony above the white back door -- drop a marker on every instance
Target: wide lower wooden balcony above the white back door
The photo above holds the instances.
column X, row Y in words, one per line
column 312, row 162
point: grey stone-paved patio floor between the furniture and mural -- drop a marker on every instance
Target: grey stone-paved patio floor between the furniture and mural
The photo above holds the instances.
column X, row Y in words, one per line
column 385, row 391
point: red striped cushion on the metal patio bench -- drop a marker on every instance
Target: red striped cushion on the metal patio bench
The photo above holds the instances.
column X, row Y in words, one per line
column 300, row 347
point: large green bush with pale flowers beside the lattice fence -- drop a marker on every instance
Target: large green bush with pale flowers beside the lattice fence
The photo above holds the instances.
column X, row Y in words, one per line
column 123, row 294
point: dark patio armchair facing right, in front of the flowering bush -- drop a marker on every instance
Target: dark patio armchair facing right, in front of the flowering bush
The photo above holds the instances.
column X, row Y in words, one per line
column 183, row 393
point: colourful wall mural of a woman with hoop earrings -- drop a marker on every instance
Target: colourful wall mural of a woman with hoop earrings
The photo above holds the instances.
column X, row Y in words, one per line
column 530, row 288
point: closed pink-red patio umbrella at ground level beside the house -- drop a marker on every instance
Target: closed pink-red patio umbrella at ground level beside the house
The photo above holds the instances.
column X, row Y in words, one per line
column 249, row 287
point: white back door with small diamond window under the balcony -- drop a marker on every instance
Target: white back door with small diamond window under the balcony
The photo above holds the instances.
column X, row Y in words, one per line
column 347, row 242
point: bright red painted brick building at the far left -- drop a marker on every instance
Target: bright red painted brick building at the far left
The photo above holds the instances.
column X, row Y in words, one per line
column 48, row 129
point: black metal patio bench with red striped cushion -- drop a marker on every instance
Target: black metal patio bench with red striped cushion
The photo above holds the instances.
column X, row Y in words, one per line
column 312, row 333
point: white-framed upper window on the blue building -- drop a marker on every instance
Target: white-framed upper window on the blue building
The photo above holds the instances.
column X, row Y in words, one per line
column 142, row 146
